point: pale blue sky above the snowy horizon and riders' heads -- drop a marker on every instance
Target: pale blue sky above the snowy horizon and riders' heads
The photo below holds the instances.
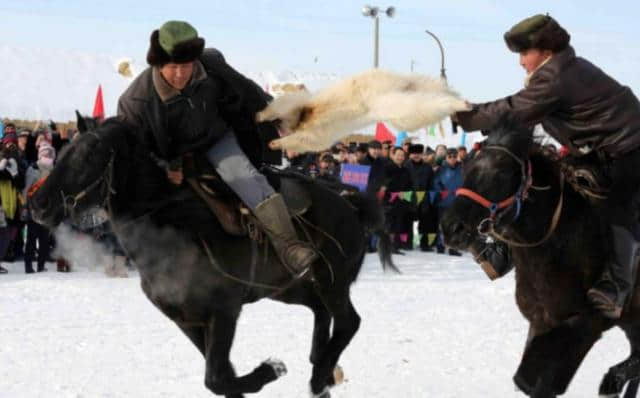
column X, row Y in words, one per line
column 333, row 36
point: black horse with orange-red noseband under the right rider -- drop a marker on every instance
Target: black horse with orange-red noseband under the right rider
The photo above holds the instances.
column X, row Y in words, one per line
column 515, row 192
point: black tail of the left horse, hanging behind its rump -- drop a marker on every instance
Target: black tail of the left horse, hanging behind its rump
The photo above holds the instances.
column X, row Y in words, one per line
column 372, row 217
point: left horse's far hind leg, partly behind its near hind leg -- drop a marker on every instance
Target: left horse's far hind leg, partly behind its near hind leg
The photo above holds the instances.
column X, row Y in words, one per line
column 305, row 294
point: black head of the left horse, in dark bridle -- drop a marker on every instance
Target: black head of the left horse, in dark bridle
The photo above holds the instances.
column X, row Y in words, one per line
column 82, row 178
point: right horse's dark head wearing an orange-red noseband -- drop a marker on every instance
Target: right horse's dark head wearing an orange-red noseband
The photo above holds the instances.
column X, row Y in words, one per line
column 496, row 182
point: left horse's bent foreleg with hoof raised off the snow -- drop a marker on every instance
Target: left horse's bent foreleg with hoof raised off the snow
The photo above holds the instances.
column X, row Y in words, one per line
column 220, row 377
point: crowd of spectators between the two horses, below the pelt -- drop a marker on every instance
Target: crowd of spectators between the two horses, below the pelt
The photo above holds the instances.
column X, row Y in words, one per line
column 413, row 183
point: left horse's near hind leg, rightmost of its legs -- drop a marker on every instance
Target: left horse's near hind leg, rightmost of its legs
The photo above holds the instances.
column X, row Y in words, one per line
column 346, row 322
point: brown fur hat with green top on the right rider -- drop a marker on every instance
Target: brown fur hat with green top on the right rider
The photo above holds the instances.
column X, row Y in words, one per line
column 539, row 31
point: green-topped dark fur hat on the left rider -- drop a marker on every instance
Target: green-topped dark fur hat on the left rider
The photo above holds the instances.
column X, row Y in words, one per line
column 175, row 41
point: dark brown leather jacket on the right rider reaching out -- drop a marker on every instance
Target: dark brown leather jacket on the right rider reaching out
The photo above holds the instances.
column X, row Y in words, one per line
column 577, row 103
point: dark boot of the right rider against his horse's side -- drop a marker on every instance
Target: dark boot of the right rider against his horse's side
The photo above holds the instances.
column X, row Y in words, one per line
column 612, row 289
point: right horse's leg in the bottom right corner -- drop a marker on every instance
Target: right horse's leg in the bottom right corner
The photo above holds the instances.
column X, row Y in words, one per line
column 626, row 371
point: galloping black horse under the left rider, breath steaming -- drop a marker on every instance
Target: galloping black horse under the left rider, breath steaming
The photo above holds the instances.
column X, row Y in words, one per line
column 198, row 275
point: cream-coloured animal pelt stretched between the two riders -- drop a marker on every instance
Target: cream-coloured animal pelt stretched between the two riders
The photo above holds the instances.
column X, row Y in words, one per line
column 315, row 122
